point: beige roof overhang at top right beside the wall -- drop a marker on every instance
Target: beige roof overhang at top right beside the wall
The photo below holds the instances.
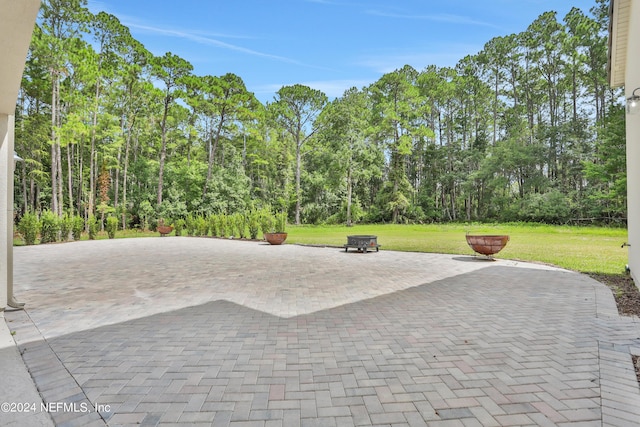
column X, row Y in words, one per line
column 619, row 14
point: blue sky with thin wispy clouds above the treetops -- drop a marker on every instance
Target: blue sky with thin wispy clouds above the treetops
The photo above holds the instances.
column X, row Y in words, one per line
column 330, row 45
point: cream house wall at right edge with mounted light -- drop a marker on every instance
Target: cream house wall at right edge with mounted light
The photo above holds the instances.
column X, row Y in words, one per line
column 632, row 81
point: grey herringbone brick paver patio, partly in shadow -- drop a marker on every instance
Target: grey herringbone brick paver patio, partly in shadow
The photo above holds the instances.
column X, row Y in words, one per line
column 197, row 331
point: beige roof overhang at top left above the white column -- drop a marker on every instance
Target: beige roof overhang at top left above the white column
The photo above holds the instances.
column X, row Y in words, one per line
column 17, row 19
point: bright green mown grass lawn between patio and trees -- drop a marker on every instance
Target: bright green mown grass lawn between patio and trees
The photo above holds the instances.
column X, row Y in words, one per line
column 584, row 249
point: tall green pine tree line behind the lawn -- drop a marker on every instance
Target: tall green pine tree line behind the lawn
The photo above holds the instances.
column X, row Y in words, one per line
column 525, row 130
